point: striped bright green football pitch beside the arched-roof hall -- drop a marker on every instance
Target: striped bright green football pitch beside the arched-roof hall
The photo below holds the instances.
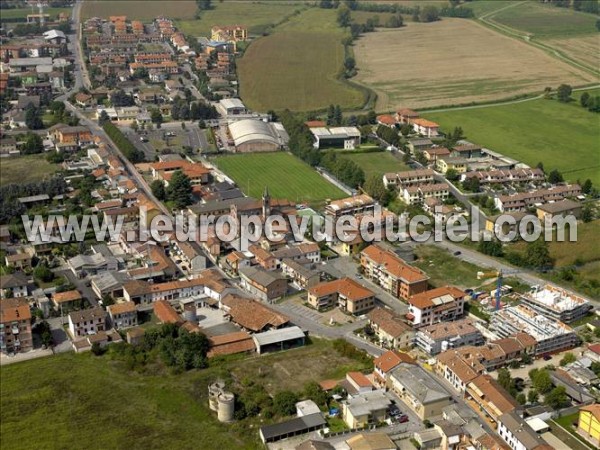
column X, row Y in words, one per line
column 284, row 174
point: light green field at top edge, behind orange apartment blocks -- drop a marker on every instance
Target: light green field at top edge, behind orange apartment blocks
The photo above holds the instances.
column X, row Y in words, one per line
column 257, row 16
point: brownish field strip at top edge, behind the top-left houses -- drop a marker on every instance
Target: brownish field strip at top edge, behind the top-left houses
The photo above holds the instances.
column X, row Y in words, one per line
column 140, row 10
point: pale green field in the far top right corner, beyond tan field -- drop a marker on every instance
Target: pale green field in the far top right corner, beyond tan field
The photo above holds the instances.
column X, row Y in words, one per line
column 548, row 21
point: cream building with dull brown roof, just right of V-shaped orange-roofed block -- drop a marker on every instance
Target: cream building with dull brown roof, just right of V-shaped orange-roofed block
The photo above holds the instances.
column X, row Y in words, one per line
column 390, row 329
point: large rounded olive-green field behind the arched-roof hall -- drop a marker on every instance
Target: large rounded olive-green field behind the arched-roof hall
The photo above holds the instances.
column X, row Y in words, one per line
column 297, row 66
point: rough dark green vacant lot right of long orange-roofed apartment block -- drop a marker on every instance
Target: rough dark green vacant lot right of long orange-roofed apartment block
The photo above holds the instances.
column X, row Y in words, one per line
column 444, row 269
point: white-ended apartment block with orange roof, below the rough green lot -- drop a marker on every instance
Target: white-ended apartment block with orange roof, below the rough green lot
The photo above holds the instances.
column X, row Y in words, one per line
column 443, row 304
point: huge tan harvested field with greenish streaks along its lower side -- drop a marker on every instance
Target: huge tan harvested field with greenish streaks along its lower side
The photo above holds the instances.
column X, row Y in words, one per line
column 454, row 61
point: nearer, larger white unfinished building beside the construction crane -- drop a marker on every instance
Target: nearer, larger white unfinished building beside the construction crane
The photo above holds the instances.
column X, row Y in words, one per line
column 551, row 335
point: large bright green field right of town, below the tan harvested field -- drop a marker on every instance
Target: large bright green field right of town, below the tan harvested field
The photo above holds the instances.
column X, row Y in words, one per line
column 560, row 130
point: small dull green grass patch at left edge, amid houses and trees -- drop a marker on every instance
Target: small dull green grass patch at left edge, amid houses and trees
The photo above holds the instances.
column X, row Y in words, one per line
column 25, row 169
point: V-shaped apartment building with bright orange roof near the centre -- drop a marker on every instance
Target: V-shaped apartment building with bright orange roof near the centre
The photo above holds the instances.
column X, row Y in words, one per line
column 346, row 293
